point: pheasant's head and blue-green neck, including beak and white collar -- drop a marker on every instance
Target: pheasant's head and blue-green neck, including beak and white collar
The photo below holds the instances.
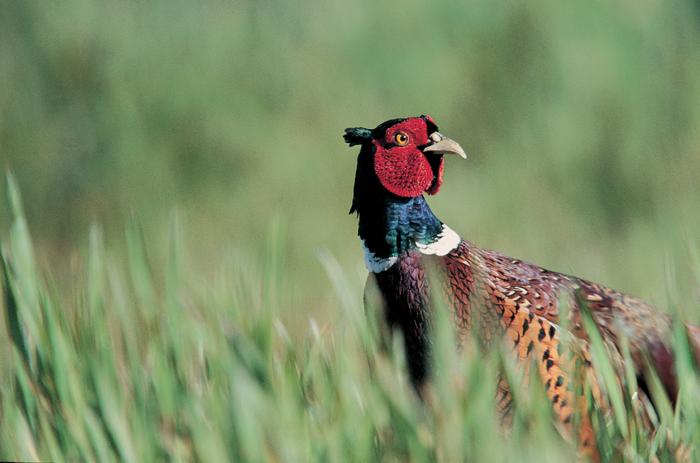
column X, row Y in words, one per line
column 399, row 160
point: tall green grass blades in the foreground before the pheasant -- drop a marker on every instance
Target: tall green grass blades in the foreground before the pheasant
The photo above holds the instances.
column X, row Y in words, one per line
column 136, row 367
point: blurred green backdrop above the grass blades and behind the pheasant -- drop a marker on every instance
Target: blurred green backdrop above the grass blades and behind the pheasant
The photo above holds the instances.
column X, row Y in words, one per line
column 581, row 120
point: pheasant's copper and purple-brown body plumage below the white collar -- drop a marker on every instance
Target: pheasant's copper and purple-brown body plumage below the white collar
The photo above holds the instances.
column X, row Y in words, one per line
column 522, row 303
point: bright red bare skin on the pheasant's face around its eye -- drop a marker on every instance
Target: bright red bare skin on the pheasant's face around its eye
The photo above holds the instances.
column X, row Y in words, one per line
column 405, row 170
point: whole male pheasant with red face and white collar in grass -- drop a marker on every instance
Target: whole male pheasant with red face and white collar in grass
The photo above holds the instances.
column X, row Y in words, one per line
column 399, row 161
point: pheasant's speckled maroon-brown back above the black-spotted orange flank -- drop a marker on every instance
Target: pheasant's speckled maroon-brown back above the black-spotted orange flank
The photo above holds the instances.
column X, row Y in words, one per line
column 490, row 282
